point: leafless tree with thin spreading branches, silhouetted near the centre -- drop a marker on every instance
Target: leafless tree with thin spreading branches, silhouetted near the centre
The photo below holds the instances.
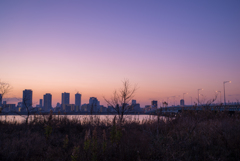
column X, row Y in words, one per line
column 120, row 101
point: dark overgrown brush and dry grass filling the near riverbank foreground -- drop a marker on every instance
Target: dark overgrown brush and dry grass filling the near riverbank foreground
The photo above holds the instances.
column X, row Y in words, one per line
column 204, row 135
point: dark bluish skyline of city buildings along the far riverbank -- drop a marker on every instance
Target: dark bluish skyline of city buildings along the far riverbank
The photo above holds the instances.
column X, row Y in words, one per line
column 45, row 104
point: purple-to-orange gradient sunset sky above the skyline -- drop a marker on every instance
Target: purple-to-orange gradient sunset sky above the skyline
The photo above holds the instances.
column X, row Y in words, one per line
column 165, row 48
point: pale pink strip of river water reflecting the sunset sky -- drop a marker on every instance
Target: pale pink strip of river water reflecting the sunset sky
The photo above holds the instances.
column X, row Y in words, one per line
column 106, row 118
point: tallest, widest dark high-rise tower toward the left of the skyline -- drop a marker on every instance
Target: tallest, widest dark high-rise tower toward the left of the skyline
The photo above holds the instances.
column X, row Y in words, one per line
column 27, row 99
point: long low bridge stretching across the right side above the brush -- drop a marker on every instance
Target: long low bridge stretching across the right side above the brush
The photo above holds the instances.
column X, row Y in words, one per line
column 177, row 109
